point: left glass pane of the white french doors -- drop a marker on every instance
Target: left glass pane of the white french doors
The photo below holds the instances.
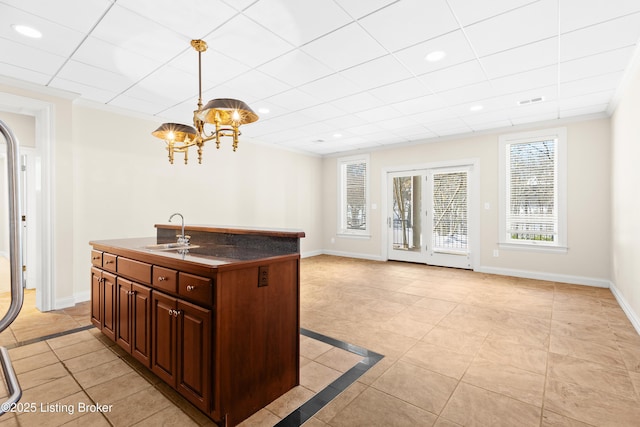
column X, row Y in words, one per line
column 407, row 205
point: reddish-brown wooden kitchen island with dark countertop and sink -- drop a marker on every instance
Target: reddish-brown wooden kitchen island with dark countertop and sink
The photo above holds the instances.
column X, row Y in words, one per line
column 217, row 319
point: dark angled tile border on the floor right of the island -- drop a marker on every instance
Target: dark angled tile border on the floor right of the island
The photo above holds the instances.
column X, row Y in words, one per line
column 317, row 402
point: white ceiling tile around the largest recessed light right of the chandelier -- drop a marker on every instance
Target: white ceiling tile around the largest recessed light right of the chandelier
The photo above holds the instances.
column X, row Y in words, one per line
column 454, row 45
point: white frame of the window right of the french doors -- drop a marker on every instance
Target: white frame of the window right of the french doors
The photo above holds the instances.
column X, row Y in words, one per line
column 505, row 141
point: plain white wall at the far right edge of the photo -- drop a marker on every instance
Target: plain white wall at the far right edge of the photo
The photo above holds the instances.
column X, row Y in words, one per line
column 625, row 199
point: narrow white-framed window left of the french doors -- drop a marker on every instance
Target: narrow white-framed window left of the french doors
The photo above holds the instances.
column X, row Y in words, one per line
column 353, row 178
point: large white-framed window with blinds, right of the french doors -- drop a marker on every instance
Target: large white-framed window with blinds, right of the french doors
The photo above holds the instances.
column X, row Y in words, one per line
column 533, row 189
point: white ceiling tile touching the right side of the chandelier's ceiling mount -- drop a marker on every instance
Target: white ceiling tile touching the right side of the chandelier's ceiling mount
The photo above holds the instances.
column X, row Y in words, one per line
column 246, row 41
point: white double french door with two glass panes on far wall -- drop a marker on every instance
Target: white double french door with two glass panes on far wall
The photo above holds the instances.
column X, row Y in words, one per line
column 428, row 219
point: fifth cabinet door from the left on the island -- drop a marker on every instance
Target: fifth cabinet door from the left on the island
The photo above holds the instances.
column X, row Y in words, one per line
column 164, row 334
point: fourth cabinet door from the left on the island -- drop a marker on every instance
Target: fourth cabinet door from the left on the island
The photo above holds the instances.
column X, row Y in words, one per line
column 141, row 324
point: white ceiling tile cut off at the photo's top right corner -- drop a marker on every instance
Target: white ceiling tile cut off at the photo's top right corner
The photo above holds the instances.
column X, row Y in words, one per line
column 576, row 14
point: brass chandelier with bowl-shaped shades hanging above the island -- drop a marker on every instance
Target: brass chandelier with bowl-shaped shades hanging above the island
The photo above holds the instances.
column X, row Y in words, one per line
column 226, row 114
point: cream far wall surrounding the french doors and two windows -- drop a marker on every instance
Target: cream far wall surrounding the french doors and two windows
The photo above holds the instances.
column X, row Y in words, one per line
column 586, row 261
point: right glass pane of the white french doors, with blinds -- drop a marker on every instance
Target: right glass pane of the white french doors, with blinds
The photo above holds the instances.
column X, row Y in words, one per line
column 450, row 211
